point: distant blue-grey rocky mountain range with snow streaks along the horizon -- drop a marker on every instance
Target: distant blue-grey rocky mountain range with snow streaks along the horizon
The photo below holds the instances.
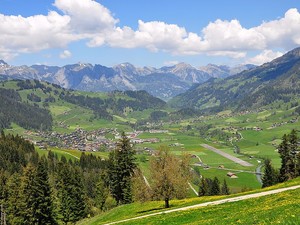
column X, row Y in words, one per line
column 165, row 82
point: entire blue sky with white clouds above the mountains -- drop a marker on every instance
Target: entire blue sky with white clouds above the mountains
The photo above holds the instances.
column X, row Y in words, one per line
column 147, row 33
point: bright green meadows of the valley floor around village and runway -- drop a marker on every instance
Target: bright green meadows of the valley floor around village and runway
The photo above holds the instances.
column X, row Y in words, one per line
column 254, row 145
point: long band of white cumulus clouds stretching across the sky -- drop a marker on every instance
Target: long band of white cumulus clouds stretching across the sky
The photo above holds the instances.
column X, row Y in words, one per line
column 88, row 20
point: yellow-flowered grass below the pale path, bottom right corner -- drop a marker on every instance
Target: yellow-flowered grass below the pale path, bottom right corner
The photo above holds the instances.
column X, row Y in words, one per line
column 282, row 208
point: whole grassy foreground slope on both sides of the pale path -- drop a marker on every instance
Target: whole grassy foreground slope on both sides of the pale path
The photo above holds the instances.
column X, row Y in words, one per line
column 279, row 207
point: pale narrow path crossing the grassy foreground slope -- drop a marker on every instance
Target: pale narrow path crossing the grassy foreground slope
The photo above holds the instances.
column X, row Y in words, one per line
column 218, row 202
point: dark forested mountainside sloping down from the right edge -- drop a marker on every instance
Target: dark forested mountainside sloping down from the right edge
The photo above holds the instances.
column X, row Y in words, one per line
column 277, row 81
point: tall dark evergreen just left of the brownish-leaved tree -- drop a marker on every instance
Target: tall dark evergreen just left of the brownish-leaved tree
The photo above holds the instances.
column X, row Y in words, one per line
column 121, row 167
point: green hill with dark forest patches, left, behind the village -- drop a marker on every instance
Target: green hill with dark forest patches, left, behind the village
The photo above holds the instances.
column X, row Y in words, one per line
column 34, row 104
